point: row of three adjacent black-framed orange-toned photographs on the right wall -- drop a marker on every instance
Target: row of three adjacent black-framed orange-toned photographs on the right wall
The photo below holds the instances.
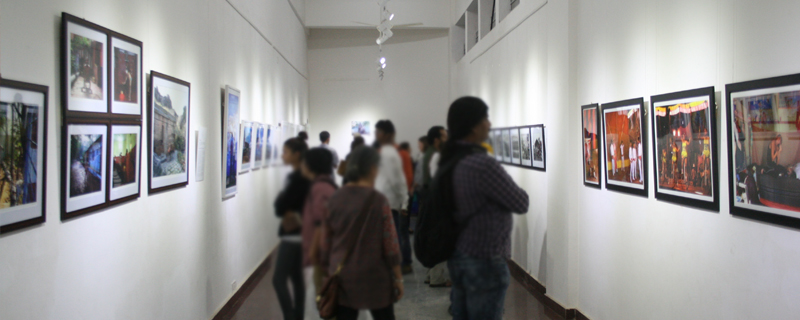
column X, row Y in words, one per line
column 684, row 147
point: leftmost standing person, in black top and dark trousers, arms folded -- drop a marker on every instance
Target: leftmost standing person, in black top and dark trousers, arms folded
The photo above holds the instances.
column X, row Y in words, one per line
column 289, row 206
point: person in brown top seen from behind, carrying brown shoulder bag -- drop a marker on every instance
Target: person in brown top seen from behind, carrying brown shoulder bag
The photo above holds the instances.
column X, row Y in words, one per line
column 370, row 274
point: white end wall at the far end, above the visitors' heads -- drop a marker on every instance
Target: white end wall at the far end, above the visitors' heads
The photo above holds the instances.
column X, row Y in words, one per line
column 344, row 84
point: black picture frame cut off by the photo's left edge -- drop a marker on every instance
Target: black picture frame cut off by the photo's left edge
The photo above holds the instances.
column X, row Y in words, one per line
column 44, row 90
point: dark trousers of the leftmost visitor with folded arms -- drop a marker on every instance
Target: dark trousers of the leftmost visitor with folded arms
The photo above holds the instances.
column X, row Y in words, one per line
column 289, row 266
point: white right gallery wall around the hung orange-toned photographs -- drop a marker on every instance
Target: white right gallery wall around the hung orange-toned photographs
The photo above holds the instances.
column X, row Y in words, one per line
column 612, row 255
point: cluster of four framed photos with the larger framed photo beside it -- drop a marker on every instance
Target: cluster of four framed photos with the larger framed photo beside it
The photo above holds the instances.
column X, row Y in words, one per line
column 102, row 125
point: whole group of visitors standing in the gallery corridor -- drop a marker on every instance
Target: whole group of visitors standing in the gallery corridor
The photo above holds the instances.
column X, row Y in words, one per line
column 359, row 233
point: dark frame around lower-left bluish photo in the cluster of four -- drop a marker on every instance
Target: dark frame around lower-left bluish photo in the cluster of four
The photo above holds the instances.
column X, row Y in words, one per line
column 66, row 214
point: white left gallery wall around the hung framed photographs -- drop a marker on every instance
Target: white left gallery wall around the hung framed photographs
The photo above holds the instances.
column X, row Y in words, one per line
column 176, row 254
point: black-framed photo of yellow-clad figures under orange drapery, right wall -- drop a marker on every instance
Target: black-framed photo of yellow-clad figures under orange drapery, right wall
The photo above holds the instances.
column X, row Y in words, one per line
column 684, row 148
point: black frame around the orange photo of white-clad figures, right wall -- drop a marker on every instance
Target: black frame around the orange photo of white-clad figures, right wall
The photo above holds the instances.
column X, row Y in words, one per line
column 616, row 185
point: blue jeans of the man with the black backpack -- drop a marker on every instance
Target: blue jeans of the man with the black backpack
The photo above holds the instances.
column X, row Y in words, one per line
column 479, row 287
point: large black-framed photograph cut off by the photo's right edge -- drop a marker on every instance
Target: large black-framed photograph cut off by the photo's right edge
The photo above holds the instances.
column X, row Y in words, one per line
column 764, row 149
